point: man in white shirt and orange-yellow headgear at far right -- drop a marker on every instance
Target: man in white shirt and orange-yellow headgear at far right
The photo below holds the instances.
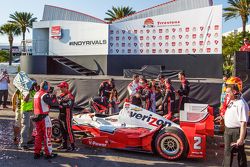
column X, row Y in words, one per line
column 236, row 117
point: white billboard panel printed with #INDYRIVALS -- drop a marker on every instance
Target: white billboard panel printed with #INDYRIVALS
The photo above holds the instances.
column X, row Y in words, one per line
column 78, row 38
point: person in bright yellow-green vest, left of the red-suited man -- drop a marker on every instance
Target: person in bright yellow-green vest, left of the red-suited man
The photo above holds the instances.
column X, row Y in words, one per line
column 27, row 107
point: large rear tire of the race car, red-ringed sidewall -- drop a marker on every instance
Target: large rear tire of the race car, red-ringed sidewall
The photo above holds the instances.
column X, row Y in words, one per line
column 171, row 144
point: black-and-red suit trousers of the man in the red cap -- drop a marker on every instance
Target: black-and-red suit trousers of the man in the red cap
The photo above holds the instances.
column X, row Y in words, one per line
column 66, row 128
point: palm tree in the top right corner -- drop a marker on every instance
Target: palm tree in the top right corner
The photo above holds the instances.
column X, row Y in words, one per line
column 238, row 8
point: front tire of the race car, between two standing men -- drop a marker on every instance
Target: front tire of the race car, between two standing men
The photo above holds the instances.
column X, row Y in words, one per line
column 56, row 130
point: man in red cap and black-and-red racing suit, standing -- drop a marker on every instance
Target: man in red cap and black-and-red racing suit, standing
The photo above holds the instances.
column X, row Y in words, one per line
column 66, row 102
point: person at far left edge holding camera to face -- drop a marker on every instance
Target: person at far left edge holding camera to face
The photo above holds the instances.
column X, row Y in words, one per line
column 4, row 81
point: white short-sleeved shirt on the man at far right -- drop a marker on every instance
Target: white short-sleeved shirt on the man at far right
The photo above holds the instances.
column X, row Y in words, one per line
column 237, row 112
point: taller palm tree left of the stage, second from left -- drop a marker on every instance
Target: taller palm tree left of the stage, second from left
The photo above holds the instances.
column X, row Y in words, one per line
column 24, row 21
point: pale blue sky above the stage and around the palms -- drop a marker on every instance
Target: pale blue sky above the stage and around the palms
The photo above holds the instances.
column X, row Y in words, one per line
column 95, row 8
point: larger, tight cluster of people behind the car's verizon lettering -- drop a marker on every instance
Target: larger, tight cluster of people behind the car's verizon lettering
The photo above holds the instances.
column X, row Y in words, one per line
column 145, row 93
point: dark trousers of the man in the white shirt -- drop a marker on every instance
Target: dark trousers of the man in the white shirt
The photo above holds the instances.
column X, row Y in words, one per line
column 231, row 135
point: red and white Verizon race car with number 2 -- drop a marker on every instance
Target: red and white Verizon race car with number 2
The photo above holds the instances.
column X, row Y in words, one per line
column 137, row 129
